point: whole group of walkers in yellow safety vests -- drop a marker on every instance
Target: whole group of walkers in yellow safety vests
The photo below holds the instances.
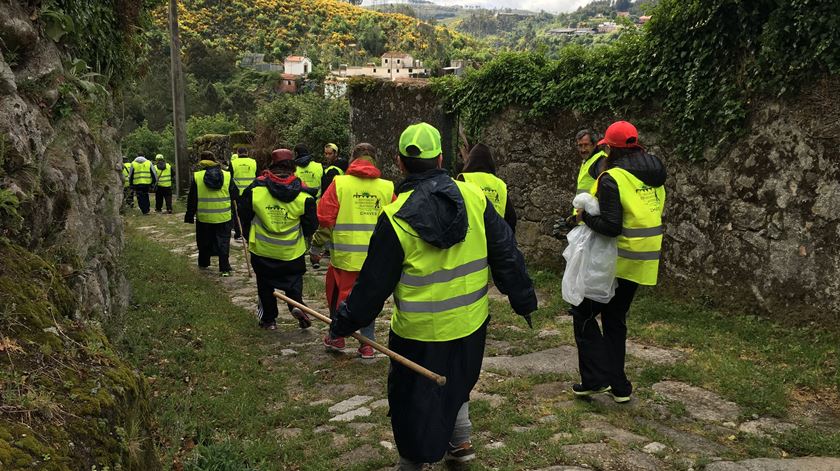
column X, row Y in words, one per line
column 432, row 242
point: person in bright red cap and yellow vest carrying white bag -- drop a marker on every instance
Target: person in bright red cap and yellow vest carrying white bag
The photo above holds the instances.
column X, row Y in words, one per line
column 631, row 196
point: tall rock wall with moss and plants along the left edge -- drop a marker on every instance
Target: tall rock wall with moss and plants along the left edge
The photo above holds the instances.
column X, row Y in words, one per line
column 66, row 400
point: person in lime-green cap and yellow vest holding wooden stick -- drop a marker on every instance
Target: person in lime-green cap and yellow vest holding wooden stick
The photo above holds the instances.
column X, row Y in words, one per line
column 434, row 249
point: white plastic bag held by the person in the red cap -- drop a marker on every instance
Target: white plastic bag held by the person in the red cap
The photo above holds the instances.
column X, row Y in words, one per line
column 590, row 260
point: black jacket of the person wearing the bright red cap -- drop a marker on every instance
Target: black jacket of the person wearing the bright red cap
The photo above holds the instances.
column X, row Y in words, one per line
column 646, row 167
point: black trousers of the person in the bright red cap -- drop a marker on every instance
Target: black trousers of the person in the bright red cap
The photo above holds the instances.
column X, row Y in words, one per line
column 601, row 354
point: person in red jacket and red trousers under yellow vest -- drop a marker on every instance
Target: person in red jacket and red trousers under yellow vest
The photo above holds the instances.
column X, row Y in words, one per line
column 350, row 207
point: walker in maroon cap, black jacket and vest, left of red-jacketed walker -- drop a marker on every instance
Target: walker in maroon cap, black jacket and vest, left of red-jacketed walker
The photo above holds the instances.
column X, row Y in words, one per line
column 278, row 217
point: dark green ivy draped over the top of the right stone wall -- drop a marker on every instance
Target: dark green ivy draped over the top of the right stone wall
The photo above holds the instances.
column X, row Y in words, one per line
column 699, row 62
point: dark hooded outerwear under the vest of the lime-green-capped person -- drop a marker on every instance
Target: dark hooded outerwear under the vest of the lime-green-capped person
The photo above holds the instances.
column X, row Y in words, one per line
column 423, row 413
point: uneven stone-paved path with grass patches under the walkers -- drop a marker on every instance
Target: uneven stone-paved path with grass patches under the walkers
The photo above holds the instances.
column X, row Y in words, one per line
column 524, row 415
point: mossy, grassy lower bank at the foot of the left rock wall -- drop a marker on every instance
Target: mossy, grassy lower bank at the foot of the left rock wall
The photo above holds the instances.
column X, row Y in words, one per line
column 66, row 400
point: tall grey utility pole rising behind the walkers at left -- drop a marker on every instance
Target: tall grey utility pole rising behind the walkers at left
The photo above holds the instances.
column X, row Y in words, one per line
column 182, row 160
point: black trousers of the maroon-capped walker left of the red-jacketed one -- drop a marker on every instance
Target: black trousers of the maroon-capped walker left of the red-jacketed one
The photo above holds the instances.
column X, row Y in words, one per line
column 270, row 276
